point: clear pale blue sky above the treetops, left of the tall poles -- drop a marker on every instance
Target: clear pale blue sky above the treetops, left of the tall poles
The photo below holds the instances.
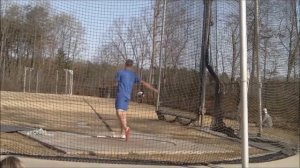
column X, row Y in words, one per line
column 97, row 16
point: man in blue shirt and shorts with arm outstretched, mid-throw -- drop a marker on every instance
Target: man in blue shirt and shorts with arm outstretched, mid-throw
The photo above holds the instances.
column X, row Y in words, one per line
column 126, row 79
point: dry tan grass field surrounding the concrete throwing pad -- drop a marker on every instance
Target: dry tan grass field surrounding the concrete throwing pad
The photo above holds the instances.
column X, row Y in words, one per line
column 80, row 114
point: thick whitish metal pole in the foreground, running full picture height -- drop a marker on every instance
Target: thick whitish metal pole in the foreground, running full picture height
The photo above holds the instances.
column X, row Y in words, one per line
column 244, row 93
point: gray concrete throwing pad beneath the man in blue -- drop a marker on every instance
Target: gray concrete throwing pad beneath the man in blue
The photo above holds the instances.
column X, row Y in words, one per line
column 139, row 143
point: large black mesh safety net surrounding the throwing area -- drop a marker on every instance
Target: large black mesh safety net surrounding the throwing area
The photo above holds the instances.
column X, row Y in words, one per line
column 59, row 60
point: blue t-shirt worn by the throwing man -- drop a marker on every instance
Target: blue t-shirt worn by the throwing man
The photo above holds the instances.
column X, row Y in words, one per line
column 126, row 80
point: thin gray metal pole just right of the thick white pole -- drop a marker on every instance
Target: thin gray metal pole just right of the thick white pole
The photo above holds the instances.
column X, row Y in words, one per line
column 258, row 66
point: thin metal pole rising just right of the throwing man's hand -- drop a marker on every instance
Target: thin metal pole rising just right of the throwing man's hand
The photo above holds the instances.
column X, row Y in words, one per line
column 160, row 54
